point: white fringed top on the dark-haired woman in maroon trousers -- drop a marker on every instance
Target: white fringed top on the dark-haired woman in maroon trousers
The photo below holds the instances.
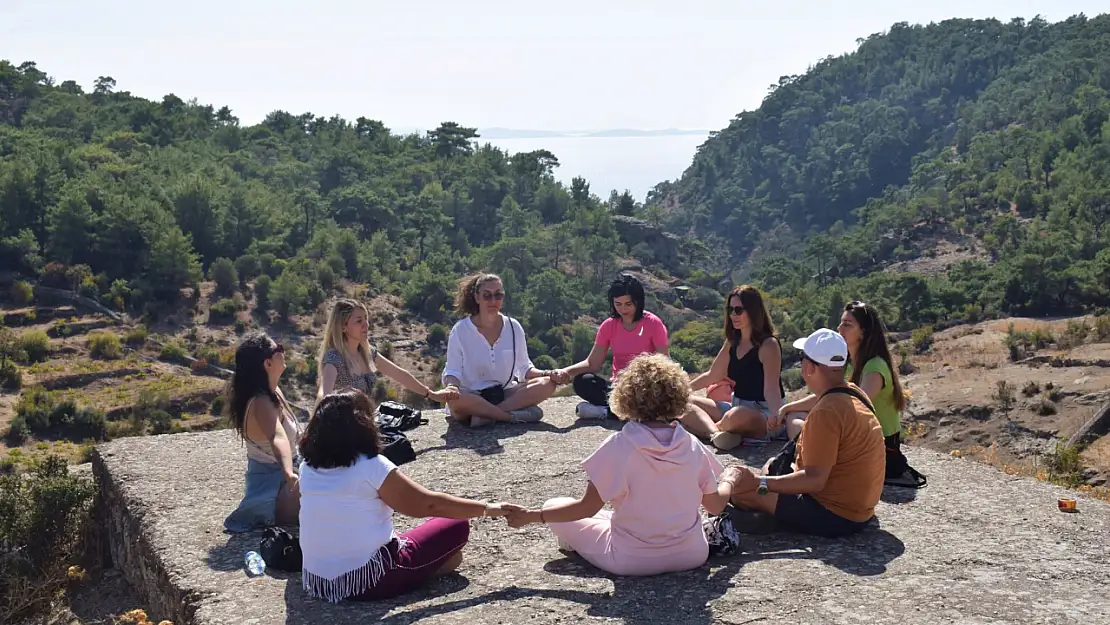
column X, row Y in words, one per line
column 344, row 520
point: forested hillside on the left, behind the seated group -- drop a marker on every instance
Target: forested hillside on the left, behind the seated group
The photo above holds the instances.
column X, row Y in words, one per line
column 130, row 201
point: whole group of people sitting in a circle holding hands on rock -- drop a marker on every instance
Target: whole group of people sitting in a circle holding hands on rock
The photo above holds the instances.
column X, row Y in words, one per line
column 658, row 473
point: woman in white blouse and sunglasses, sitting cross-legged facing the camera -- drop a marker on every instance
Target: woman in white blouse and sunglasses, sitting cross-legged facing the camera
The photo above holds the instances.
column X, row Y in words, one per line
column 488, row 360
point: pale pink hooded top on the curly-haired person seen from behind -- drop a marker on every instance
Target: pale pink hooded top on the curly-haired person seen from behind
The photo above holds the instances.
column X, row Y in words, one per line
column 654, row 478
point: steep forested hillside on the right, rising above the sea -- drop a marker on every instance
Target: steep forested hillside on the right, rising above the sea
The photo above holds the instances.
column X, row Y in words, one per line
column 987, row 136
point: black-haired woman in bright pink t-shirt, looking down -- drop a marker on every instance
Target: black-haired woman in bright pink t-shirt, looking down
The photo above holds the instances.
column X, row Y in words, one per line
column 630, row 331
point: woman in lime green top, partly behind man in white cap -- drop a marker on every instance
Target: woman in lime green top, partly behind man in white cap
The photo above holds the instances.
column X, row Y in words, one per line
column 866, row 337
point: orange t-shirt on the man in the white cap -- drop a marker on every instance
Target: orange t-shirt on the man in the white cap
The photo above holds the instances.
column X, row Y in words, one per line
column 842, row 434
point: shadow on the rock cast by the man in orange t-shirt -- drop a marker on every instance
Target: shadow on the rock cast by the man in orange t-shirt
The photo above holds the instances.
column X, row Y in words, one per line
column 867, row 553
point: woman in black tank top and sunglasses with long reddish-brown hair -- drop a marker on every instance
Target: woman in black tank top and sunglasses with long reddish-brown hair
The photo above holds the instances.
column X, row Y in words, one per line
column 752, row 360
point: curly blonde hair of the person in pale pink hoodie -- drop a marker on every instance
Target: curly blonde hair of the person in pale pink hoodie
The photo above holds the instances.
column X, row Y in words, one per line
column 652, row 388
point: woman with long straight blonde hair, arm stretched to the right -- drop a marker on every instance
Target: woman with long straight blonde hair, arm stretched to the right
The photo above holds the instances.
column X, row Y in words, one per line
column 349, row 361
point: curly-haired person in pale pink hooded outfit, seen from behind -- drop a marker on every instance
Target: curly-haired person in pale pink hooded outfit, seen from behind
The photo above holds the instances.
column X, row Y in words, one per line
column 655, row 475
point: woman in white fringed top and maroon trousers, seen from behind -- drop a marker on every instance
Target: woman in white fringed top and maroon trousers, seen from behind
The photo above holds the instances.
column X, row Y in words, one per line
column 349, row 492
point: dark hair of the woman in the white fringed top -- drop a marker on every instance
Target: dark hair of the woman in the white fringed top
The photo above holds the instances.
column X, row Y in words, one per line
column 341, row 430
